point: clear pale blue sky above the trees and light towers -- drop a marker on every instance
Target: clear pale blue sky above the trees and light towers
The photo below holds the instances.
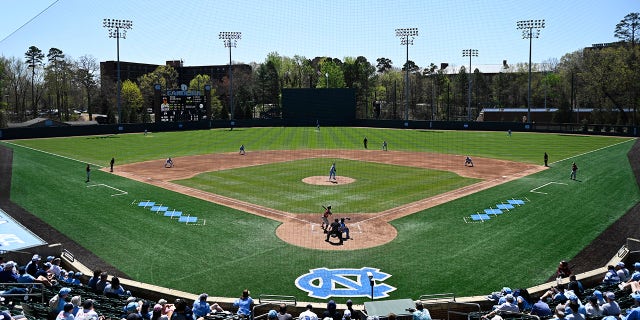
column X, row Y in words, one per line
column 188, row 30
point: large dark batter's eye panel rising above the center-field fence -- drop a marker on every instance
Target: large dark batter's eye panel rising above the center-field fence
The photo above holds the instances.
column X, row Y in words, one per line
column 333, row 107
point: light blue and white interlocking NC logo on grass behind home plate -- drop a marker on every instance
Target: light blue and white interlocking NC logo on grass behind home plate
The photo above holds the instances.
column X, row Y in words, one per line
column 323, row 283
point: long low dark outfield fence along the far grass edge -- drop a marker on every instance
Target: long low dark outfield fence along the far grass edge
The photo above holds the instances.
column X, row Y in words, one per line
column 101, row 129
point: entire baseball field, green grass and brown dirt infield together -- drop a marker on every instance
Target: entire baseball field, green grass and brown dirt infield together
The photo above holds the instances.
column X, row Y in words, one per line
column 259, row 213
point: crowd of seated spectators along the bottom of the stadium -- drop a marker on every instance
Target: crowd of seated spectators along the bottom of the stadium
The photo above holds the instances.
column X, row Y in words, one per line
column 69, row 297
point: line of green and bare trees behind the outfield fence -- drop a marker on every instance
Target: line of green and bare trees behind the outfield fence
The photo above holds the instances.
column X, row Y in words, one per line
column 604, row 78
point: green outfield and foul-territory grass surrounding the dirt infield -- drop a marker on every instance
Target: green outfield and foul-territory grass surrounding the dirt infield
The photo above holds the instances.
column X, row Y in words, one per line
column 435, row 251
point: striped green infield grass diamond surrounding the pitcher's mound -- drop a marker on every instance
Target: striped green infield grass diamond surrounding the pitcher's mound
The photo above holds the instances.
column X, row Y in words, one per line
column 378, row 187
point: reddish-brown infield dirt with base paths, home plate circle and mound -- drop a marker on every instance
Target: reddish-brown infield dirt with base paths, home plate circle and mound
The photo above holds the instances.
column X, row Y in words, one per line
column 367, row 229
